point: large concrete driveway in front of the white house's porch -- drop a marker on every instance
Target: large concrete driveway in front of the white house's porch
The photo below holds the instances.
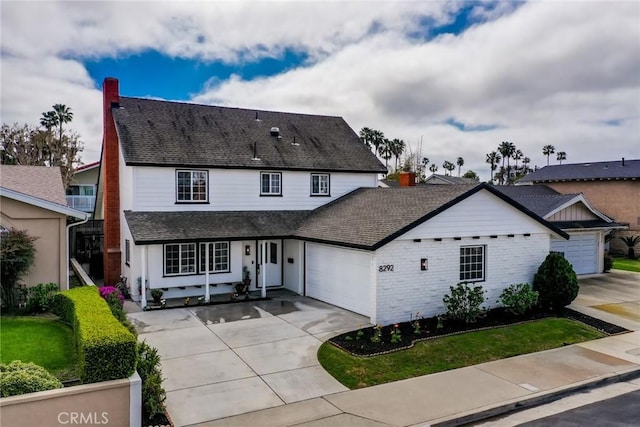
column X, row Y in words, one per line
column 224, row 360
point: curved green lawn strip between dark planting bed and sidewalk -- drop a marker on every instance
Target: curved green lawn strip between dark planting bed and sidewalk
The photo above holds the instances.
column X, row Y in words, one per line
column 453, row 352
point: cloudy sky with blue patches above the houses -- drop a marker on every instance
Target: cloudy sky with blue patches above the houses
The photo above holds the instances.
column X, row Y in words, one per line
column 450, row 78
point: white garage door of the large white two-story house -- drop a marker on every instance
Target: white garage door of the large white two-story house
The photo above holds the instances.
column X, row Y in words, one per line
column 339, row 276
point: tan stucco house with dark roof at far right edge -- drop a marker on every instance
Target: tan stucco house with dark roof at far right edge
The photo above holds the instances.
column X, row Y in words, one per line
column 613, row 187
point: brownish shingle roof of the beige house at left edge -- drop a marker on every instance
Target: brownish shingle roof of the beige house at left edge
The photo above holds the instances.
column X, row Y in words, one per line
column 37, row 181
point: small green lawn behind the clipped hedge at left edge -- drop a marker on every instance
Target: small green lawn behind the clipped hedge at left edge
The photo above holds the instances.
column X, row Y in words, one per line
column 45, row 342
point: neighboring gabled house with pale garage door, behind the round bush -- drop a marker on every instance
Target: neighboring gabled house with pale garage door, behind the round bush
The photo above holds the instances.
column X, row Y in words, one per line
column 573, row 214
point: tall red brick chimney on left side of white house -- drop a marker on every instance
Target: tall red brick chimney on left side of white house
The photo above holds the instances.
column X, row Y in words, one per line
column 111, row 197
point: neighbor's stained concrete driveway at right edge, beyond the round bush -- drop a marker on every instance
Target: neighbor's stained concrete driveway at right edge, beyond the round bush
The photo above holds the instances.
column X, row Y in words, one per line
column 613, row 297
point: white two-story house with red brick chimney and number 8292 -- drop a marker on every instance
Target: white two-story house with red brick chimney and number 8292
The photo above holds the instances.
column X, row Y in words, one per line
column 195, row 196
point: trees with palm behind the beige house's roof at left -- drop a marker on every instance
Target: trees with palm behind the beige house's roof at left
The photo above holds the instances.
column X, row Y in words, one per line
column 50, row 145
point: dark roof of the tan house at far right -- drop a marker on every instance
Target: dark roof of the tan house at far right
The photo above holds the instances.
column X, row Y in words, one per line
column 586, row 171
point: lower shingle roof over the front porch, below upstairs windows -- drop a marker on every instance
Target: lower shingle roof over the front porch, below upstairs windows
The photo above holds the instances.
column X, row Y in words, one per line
column 158, row 227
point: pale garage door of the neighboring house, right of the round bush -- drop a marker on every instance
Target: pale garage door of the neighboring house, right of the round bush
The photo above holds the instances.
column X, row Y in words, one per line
column 581, row 250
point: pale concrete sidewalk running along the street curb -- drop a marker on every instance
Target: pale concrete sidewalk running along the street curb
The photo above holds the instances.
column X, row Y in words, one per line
column 463, row 395
